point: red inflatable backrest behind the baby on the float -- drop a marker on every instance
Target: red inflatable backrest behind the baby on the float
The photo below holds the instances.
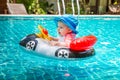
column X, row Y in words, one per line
column 83, row 43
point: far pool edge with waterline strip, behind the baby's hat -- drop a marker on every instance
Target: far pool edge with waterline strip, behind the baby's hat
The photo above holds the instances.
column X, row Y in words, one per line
column 52, row 16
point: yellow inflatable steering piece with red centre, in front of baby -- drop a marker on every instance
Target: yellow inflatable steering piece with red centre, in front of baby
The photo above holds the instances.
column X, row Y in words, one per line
column 44, row 33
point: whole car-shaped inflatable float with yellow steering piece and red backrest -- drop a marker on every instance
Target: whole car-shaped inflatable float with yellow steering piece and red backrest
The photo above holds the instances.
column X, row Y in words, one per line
column 79, row 48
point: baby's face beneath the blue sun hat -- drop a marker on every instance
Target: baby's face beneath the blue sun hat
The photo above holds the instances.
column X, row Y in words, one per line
column 63, row 29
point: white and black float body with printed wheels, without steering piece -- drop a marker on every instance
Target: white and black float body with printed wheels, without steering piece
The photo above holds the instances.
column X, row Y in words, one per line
column 41, row 47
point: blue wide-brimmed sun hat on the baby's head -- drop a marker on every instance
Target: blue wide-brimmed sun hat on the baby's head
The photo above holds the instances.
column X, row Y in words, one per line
column 69, row 21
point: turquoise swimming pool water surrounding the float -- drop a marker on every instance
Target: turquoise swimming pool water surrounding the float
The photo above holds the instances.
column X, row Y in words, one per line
column 18, row 64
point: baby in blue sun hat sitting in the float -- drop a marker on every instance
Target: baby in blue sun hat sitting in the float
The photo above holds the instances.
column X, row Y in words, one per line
column 66, row 29
